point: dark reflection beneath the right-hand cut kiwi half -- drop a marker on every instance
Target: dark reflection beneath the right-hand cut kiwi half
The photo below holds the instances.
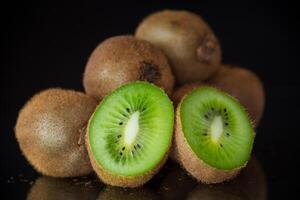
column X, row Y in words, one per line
column 249, row 185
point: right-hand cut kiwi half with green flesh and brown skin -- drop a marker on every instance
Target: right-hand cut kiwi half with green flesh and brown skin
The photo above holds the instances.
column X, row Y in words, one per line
column 213, row 135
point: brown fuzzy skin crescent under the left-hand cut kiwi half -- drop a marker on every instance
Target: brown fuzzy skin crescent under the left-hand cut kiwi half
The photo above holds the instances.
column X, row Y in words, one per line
column 122, row 181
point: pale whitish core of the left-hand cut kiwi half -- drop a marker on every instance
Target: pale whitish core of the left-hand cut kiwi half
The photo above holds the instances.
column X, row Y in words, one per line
column 131, row 128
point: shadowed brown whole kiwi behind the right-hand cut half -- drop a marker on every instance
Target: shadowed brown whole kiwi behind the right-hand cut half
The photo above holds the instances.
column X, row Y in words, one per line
column 243, row 85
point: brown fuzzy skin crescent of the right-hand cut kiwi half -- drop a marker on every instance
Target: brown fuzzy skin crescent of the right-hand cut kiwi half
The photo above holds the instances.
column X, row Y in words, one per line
column 195, row 166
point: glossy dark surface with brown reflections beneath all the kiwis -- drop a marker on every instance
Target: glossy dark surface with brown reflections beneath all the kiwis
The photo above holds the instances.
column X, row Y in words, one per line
column 171, row 183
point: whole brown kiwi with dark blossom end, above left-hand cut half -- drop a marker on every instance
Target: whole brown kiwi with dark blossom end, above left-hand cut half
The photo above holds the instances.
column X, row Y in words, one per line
column 124, row 59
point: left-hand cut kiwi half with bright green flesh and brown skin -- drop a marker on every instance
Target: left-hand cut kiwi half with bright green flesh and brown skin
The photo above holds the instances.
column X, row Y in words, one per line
column 130, row 133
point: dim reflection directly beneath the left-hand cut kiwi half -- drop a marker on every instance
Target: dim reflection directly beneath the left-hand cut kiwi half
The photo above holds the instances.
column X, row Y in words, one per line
column 115, row 193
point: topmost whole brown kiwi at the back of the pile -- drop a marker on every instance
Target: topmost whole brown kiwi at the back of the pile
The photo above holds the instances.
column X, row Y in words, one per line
column 187, row 40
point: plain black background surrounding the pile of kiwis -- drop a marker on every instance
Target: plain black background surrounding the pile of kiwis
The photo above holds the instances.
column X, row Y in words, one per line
column 47, row 45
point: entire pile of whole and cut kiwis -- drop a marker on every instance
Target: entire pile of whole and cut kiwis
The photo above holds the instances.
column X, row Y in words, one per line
column 124, row 127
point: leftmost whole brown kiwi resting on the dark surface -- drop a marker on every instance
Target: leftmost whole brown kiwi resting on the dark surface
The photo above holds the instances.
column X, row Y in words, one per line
column 50, row 130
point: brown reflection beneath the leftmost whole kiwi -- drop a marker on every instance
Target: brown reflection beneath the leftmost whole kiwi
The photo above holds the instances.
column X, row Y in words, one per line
column 47, row 188
